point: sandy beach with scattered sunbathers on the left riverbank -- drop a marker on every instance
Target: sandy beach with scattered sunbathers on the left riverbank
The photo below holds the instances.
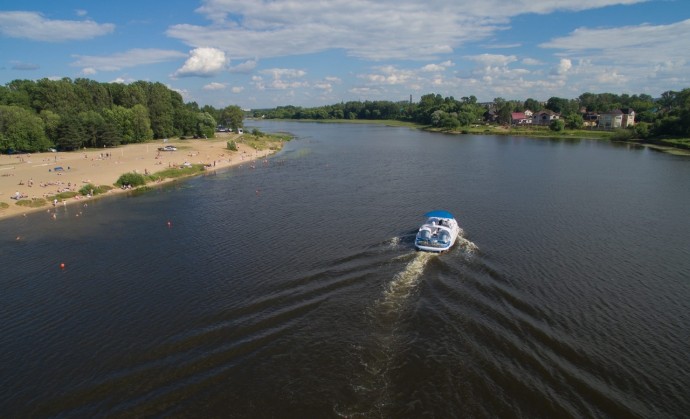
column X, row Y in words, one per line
column 35, row 175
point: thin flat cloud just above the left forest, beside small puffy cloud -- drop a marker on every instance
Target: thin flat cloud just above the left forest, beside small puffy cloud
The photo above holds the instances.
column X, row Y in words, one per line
column 131, row 58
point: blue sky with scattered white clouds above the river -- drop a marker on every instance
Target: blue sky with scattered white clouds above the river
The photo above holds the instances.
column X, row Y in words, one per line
column 266, row 53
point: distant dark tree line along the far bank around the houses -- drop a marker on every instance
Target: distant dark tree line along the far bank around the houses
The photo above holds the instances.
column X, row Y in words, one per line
column 666, row 116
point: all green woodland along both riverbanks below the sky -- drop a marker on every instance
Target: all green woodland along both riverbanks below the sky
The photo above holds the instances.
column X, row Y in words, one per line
column 71, row 114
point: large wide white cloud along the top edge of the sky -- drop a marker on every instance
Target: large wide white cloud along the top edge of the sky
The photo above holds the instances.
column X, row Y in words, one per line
column 363, row 28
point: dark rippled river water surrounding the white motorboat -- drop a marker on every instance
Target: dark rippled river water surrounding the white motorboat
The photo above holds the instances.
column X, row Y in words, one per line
column 292, row 289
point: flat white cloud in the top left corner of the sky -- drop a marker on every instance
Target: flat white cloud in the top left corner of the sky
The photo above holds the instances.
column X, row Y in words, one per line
column 32, row 25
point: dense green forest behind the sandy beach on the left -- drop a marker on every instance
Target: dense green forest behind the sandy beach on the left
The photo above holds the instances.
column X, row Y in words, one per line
column 71, row 114
